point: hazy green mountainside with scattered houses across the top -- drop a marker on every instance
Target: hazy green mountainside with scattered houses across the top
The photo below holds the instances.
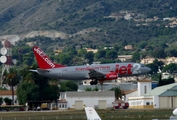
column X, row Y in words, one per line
column 107, row 16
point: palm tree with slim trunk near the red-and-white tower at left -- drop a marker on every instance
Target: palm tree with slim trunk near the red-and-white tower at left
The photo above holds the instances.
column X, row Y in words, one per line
column 12, row 80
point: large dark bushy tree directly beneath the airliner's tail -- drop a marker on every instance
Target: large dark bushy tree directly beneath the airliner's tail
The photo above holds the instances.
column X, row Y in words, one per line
column 34, row 87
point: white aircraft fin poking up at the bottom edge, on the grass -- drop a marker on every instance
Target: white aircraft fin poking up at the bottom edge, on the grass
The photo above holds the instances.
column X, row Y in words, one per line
column 91, row 114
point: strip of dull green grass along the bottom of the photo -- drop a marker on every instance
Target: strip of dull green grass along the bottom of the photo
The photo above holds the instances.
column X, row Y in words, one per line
column 121, row 114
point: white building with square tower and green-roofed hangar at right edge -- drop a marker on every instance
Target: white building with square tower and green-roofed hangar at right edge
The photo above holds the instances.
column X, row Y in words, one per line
column 160, row 97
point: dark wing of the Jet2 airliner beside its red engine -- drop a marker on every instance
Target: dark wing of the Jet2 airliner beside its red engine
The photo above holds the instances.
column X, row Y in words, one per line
column 95, row 74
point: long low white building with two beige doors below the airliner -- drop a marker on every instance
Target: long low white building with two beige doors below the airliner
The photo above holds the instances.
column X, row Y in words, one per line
column 96, row 99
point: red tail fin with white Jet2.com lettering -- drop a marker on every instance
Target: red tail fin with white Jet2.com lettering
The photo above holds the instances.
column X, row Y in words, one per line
column 43, row 60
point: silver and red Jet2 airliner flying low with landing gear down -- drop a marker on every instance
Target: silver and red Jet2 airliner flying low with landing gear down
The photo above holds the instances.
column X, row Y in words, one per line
column 96, row 72
